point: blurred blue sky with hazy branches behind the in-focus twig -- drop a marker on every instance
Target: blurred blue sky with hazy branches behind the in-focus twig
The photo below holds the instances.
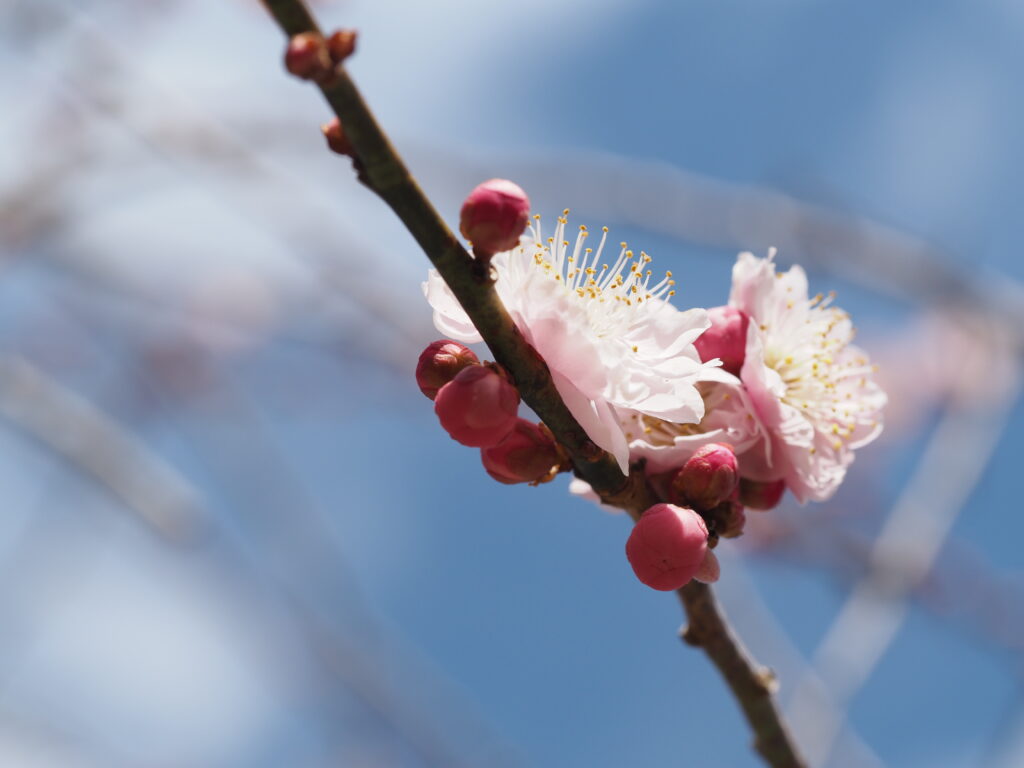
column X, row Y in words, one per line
column 232, row 533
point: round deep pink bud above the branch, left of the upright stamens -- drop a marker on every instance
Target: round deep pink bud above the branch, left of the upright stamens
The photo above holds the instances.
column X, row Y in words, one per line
column 495, row 216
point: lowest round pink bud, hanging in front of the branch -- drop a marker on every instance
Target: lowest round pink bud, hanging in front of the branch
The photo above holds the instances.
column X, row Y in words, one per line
column 667, row 546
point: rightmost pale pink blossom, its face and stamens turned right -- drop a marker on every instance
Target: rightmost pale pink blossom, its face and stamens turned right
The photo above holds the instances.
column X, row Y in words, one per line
column 812, row 392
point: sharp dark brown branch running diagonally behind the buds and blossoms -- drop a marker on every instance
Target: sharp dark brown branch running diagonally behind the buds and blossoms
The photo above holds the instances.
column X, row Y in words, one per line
column 386, row 174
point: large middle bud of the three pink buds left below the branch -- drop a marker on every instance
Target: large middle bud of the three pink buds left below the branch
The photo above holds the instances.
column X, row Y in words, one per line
column 478, row 408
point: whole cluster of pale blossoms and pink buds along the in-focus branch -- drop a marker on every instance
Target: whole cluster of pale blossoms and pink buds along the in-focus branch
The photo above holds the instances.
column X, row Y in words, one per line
column 722, row 410
